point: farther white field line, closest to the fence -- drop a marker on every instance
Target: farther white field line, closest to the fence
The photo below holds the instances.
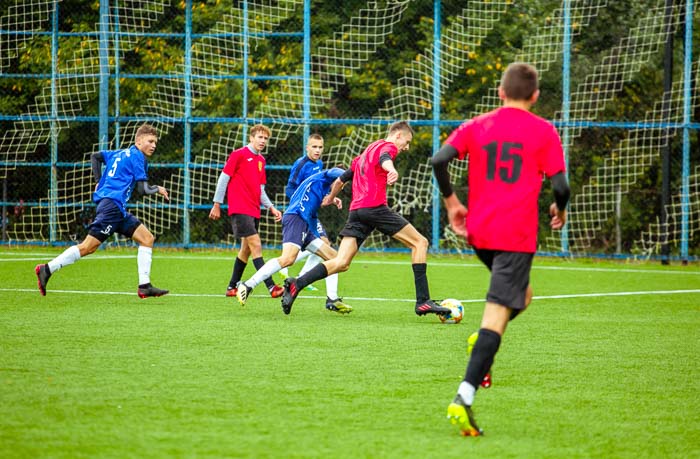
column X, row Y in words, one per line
column 367, row 262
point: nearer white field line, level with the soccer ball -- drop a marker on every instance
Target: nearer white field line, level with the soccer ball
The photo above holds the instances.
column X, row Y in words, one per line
column 358, row 298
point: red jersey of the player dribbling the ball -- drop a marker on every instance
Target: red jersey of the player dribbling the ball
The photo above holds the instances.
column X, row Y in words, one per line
column 369, row 179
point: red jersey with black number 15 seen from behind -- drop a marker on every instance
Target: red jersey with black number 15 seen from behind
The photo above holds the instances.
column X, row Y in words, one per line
column 509, row 150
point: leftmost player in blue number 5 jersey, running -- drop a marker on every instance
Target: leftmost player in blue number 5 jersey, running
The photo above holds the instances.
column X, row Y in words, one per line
column 126, row 169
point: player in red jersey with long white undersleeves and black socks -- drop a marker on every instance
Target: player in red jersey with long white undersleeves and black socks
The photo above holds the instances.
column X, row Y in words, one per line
column 243, row 183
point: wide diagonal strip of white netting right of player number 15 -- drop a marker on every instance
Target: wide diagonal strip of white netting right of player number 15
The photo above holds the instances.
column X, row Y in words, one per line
column 591, row 207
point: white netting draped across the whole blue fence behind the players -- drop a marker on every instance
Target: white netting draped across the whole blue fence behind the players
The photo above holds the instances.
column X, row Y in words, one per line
column 333, row 62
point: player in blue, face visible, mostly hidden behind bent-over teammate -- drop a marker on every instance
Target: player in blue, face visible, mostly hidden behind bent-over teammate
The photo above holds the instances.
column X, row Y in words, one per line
column 303, row 168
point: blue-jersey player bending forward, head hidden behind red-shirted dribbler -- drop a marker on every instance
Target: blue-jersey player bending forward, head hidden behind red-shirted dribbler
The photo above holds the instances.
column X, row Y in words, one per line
column 302, row 231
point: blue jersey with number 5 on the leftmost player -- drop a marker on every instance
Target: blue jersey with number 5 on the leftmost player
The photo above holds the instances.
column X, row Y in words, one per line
column 124, row 169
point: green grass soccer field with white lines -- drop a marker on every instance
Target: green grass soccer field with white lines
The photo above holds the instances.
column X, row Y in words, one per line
column 604, row 364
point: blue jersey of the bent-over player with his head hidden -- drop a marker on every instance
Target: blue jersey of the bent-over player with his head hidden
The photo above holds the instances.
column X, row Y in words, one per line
column 306, row 200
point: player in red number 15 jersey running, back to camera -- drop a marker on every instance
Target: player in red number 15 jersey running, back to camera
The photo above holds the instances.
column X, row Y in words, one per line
column 509, row 151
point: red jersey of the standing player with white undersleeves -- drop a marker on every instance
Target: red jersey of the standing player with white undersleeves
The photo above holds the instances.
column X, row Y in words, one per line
column 247, row 172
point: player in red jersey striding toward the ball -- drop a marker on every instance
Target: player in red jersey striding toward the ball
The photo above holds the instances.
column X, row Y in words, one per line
column 370, row 173
